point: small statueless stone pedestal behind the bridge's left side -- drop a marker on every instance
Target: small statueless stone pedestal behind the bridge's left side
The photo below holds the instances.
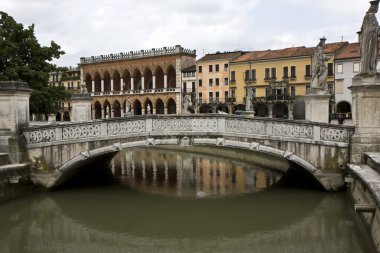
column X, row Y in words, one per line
column 81, row 107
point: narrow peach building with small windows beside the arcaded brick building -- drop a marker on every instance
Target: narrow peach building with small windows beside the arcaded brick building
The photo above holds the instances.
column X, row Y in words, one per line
column 213, row 81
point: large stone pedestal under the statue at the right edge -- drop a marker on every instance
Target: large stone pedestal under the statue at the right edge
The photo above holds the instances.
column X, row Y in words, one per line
column 366, row 116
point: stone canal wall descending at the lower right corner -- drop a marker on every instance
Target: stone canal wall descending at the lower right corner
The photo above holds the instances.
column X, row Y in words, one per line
column 364, row 187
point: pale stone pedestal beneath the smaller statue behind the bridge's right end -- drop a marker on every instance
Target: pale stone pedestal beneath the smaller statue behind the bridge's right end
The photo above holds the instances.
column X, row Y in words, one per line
column 317, row 105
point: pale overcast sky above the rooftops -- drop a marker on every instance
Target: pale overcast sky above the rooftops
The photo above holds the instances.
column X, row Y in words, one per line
column 85, row 28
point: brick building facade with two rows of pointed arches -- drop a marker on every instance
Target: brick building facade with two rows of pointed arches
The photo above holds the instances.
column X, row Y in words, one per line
column 149, row 79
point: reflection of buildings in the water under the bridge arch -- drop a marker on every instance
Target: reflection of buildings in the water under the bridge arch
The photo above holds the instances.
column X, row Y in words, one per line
column 184, row 174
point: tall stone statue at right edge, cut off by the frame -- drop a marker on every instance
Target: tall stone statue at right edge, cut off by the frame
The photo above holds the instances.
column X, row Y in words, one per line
column 369, row 35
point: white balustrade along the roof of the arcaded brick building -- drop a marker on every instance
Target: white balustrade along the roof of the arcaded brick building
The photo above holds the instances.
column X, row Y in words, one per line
column 137, row 54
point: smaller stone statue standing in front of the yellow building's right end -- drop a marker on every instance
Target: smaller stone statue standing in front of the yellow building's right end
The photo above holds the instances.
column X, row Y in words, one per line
column 319, row 69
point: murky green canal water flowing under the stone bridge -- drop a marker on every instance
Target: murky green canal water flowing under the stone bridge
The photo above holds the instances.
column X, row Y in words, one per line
column 166, row 200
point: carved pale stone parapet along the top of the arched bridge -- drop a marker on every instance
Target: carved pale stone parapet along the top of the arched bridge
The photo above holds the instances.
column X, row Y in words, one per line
column 223, row 125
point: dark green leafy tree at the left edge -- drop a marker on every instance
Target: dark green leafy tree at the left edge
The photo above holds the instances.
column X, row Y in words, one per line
column 22, row 58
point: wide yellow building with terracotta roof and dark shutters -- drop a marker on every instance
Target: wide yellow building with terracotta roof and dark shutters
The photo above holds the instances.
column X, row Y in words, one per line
column 277, row 77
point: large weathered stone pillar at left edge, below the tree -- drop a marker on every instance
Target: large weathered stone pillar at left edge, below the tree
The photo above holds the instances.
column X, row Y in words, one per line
column 14, row 114
